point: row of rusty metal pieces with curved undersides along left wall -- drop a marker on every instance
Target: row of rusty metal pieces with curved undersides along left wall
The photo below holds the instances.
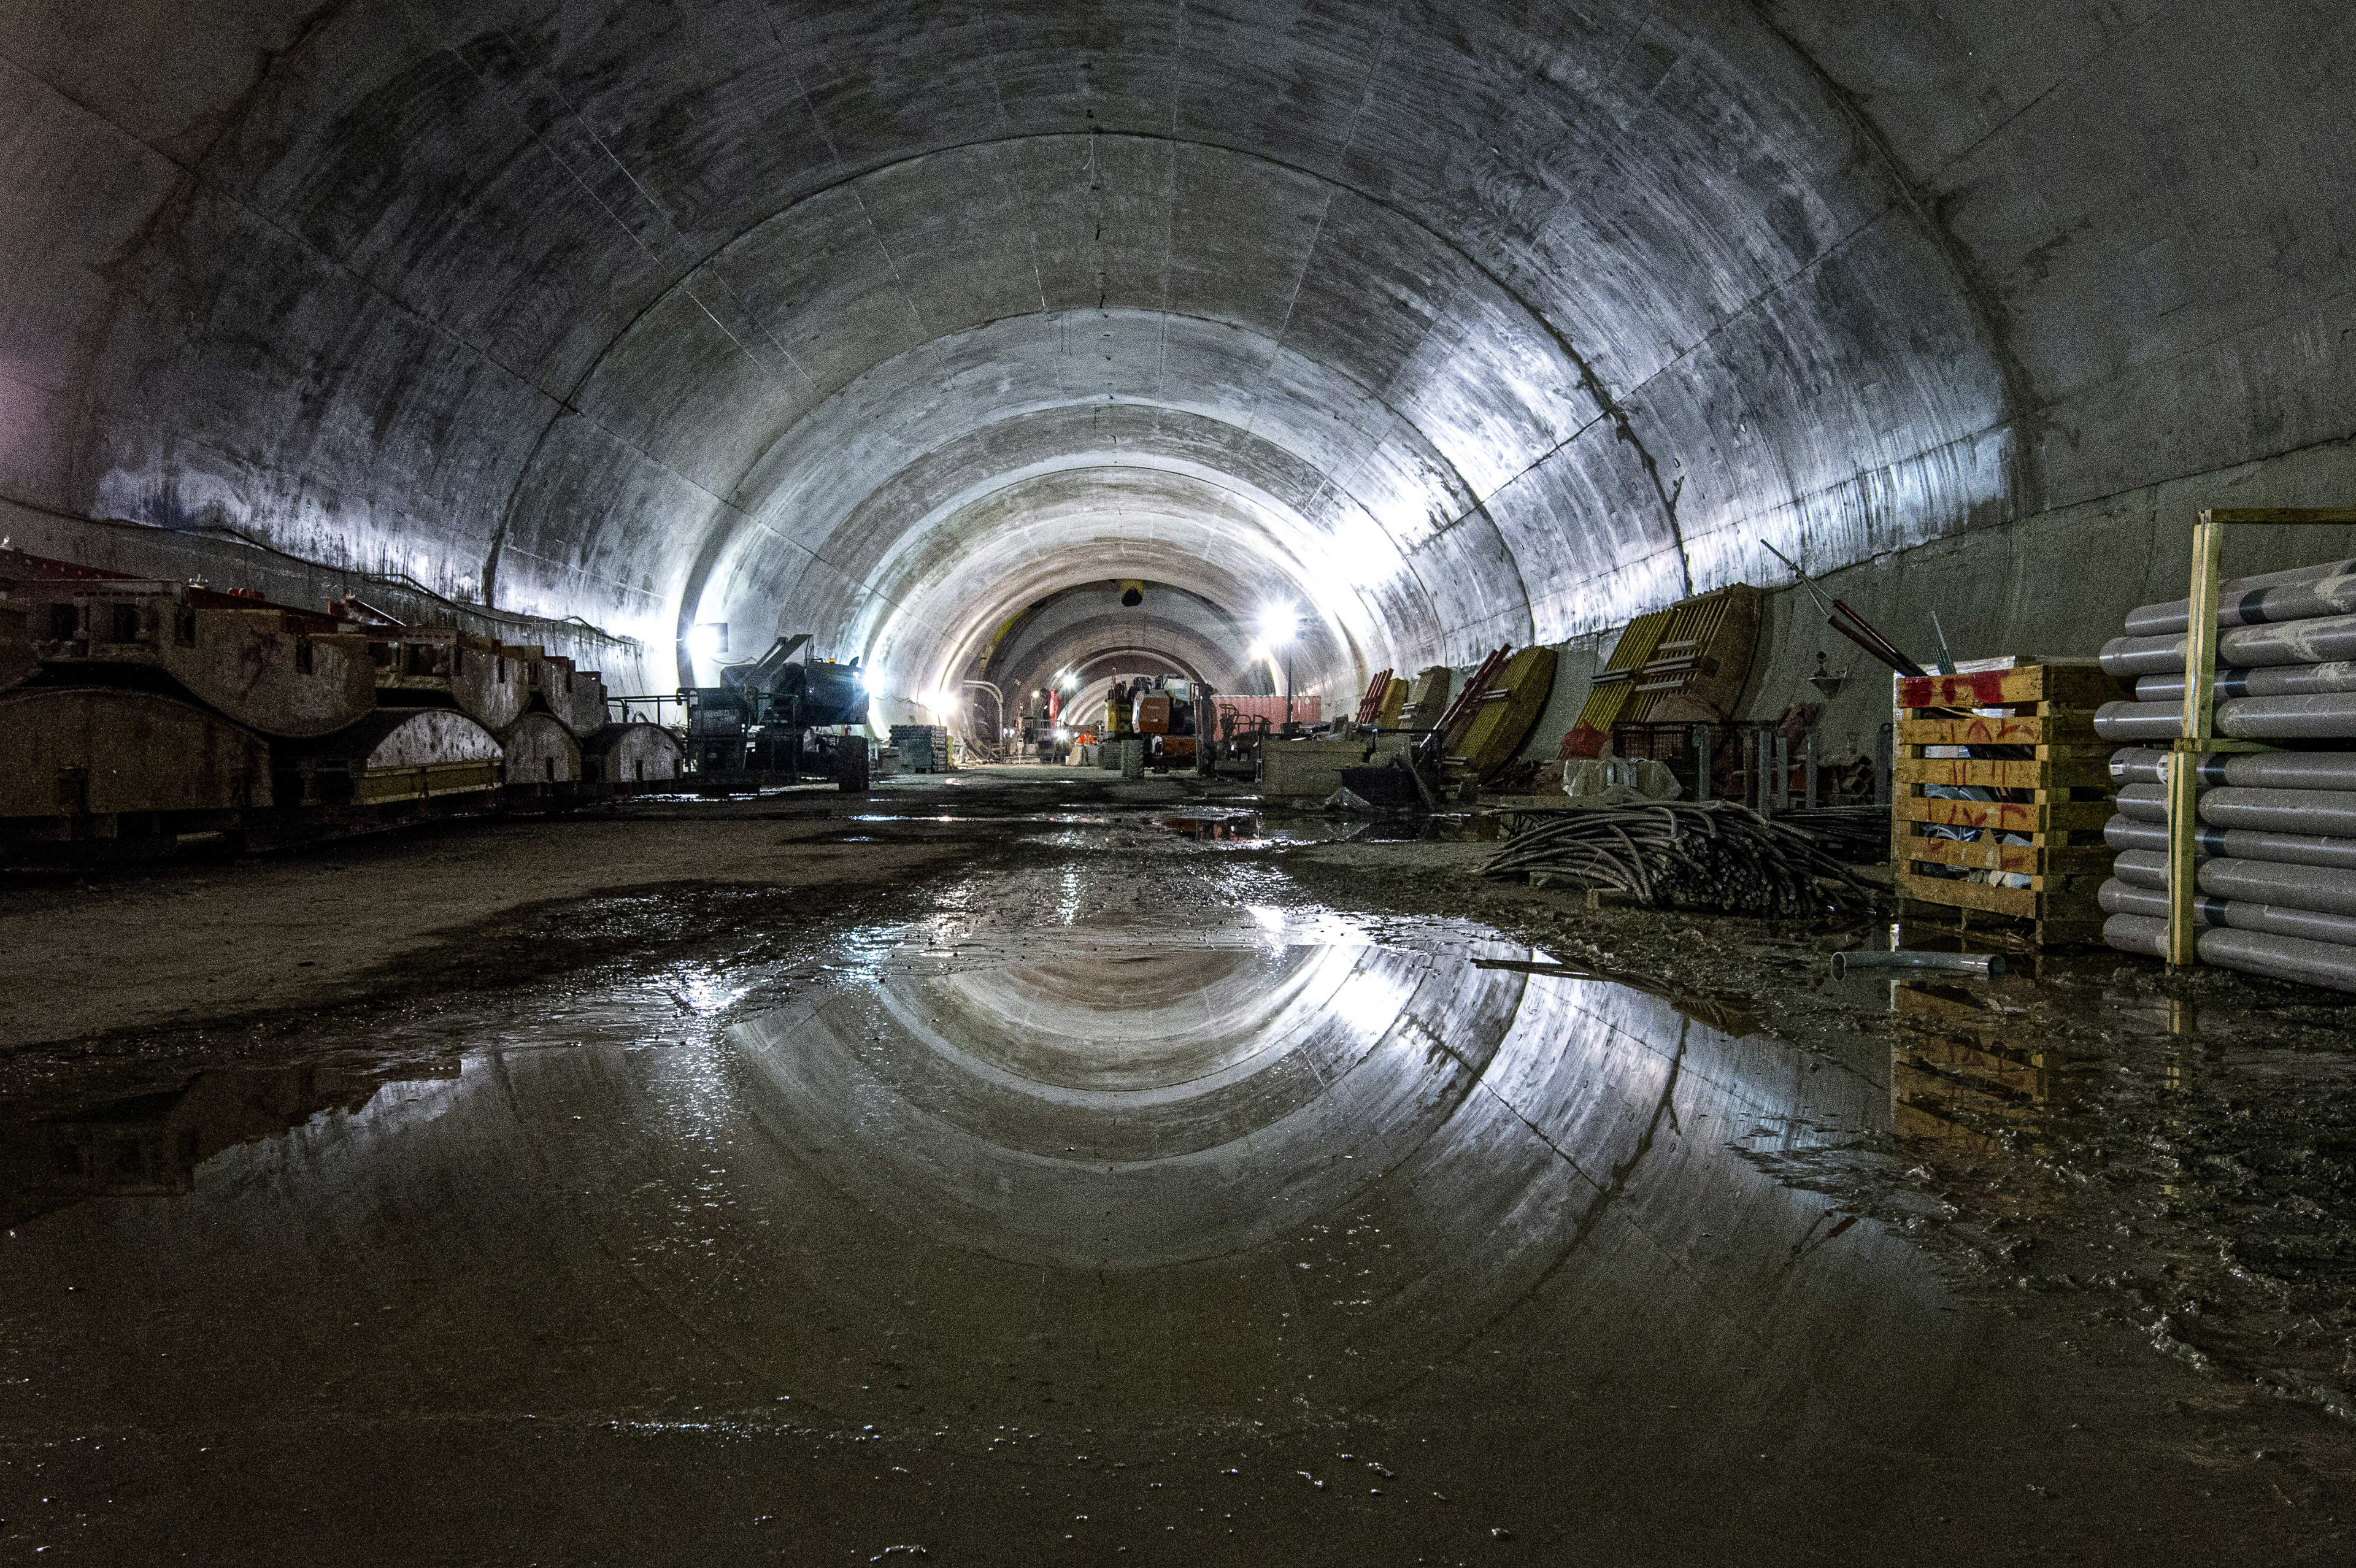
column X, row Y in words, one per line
column 135, row 712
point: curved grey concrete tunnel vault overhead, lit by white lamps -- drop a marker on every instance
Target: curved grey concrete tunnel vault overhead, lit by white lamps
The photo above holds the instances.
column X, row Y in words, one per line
column 1445, row 324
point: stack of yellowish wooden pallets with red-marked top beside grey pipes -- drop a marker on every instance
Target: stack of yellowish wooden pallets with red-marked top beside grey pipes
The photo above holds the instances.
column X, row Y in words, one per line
column 2058, row 797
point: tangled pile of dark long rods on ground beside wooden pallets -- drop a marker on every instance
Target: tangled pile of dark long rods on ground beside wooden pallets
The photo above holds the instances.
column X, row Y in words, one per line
column 1712, row 856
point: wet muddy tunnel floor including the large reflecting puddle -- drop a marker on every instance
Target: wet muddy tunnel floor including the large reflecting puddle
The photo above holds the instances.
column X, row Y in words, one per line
column 1052, row 1171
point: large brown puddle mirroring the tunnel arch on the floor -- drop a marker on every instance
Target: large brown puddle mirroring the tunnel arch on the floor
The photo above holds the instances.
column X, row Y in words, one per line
column 1224, row 1197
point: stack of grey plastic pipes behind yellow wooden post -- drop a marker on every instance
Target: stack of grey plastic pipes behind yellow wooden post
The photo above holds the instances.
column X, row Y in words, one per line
column 2277, row 832
